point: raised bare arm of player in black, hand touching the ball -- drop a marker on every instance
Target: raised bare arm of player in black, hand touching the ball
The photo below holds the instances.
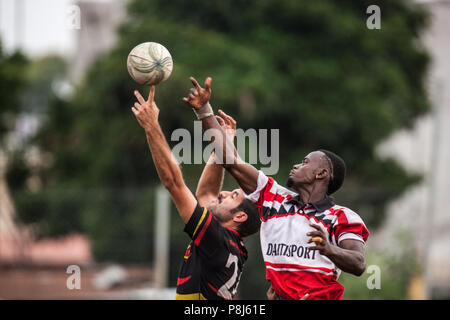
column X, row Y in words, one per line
column 146, row 112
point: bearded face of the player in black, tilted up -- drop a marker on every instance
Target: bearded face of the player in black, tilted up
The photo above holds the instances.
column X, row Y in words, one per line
column 225, row 203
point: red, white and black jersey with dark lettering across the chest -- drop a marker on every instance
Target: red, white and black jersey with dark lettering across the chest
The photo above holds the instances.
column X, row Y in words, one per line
column 291, row 267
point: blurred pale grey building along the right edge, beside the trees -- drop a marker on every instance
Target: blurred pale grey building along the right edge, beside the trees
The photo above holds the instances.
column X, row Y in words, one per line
column 422, row 212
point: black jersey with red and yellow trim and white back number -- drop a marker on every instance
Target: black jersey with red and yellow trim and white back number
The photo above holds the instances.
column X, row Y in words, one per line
column 213, row 262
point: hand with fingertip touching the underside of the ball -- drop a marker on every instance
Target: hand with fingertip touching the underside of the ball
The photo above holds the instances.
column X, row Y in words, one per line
column 146, row 111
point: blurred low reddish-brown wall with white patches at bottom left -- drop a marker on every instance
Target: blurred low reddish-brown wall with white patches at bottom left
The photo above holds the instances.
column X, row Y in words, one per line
column 95, row 282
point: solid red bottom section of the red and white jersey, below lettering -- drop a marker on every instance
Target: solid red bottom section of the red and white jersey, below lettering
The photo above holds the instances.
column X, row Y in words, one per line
column 295, row 284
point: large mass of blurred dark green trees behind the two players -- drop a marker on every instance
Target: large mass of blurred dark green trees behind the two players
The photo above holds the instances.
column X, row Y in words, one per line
column 310, row 68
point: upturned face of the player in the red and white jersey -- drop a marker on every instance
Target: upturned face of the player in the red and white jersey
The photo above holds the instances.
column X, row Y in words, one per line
column 305, row 172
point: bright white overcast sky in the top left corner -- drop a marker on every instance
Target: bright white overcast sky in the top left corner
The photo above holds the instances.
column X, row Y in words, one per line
column 37, row 26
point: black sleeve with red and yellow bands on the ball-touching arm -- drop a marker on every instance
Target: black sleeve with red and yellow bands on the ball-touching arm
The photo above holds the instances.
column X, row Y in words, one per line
column 204, row 230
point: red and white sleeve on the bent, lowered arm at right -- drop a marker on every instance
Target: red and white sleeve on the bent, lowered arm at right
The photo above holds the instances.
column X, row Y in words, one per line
column 349, row 225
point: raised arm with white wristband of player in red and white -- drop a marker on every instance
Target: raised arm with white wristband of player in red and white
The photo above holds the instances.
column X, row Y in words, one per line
column 245, row 174
